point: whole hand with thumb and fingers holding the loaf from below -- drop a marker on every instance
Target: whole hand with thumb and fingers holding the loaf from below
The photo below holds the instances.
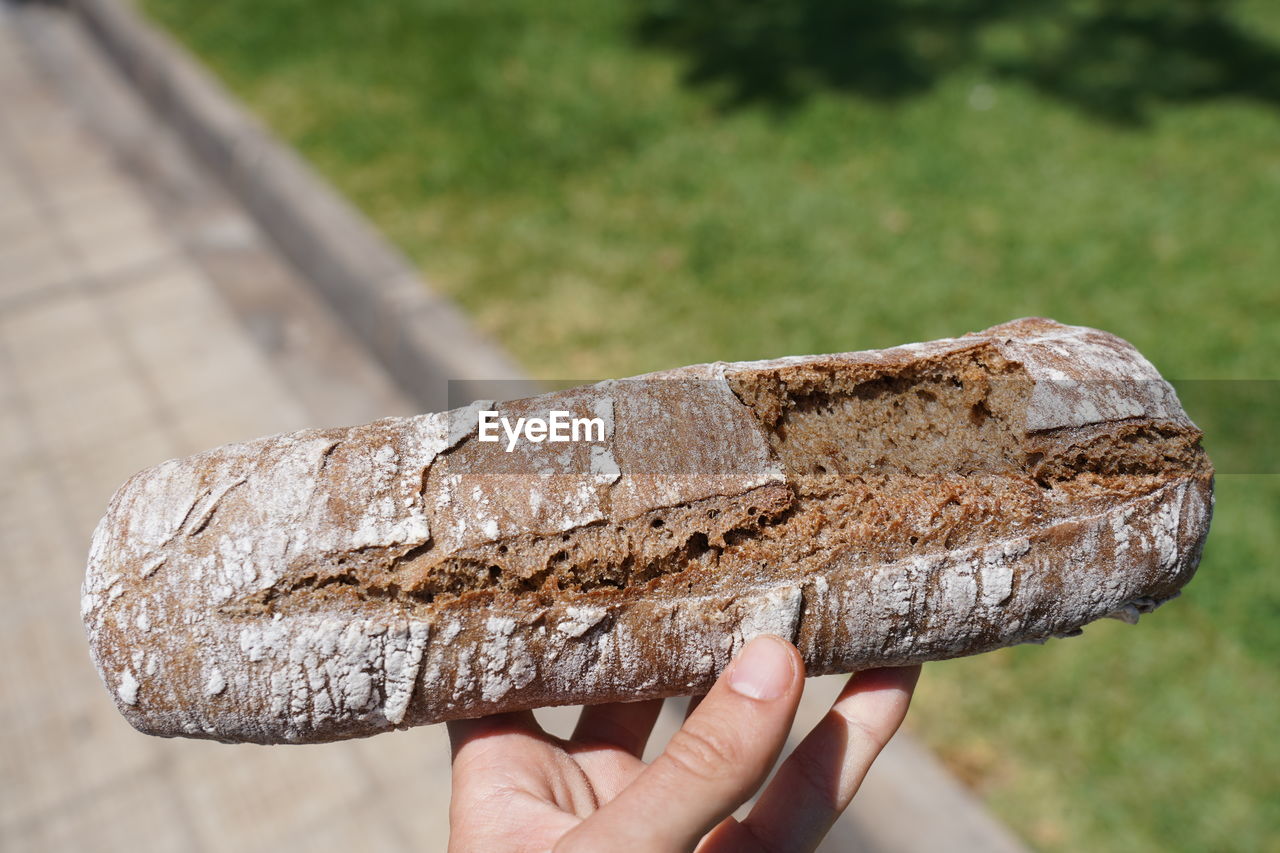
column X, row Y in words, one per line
column 518, row 790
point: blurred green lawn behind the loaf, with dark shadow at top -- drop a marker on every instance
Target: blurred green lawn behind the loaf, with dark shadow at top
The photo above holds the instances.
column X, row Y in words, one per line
column 552, row 170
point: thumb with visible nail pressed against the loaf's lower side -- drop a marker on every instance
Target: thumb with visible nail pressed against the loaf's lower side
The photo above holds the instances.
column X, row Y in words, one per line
column 712, row 765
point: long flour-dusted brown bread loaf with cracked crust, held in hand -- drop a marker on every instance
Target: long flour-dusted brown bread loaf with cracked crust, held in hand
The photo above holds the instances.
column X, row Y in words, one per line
column 885, row 508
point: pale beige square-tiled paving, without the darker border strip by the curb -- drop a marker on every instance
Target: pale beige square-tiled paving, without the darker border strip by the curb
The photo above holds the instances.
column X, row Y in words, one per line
column 118, row 352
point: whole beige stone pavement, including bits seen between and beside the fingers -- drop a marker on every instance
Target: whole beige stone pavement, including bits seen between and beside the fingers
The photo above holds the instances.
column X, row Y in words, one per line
column 144, row 316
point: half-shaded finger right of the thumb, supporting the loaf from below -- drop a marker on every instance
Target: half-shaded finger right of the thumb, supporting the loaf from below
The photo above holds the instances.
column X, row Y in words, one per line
column 816, row 783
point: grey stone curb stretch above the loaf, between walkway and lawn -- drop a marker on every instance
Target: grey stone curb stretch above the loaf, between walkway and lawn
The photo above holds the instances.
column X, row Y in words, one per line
column 422, row 337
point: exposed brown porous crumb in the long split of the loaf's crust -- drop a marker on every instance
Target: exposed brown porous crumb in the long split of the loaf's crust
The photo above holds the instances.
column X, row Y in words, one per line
column 880, row 466
